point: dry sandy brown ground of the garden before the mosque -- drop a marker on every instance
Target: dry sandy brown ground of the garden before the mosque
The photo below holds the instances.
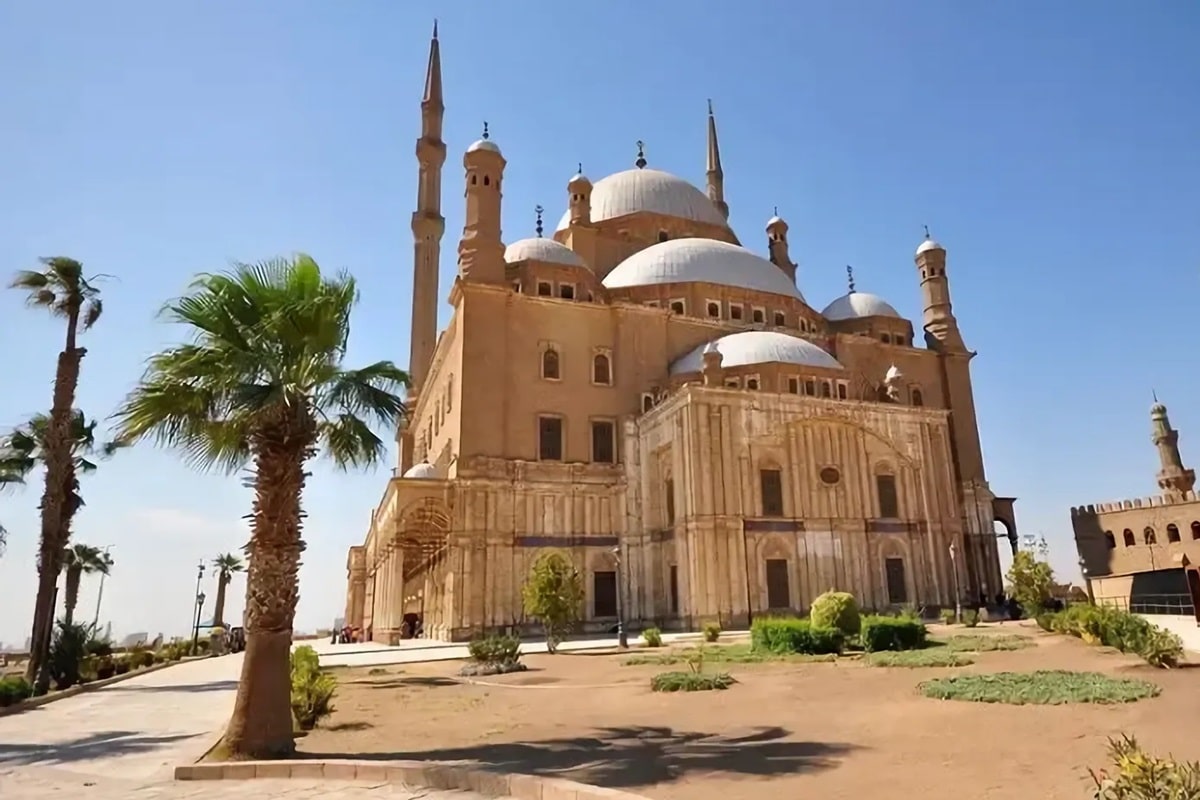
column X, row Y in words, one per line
column 789, row 731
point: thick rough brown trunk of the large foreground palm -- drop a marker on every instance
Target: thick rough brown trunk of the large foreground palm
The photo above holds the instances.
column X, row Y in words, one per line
column 262, row 726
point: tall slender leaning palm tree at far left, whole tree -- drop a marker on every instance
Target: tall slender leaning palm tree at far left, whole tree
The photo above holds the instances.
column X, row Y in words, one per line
column 63, row 290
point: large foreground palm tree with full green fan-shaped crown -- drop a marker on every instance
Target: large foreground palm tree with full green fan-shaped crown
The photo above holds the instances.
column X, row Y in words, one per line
column 262, row 384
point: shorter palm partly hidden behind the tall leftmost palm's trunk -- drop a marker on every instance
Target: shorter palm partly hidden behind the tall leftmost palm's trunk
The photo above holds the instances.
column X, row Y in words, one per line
column 27, row 448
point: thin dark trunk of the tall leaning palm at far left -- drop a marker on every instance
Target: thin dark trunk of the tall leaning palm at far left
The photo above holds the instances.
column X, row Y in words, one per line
column 58, row 482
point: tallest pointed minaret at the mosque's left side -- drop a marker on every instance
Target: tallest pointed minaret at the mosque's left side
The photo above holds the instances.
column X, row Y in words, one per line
column 428, row 222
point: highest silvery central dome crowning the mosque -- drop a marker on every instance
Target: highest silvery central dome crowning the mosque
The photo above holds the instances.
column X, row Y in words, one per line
column 649, row 190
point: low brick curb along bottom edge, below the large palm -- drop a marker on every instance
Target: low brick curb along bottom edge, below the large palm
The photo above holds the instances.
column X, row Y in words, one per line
column 435, row 775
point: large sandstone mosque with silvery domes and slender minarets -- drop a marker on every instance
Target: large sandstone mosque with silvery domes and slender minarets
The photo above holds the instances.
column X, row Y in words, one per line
column 661, row 404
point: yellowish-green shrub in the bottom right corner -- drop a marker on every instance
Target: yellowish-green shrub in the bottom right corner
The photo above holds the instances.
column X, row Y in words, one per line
column 1139, row 777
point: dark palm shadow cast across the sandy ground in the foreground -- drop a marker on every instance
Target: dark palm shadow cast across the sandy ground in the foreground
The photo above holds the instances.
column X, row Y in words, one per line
column 639, row 756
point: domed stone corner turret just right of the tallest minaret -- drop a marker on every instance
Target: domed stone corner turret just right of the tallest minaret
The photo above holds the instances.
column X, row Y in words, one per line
column 481, row 250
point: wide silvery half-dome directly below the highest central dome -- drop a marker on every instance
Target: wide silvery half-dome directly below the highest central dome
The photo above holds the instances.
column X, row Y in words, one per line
column 701, row 261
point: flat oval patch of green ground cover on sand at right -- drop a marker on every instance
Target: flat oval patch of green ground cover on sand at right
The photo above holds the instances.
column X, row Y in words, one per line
column 1043, row 688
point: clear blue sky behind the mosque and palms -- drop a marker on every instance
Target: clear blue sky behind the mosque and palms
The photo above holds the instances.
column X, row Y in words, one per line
column 1052, row 147
